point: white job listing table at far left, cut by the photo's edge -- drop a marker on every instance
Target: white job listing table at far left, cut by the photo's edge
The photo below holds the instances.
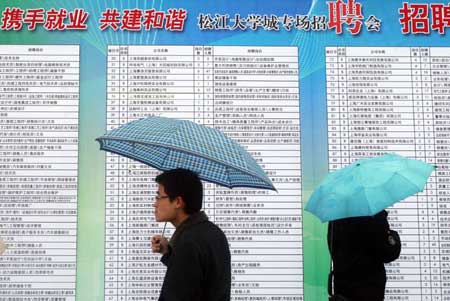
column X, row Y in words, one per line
column 39, row 98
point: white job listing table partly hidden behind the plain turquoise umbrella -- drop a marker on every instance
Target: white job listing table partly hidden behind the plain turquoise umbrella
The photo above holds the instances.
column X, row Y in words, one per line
column 386, row 99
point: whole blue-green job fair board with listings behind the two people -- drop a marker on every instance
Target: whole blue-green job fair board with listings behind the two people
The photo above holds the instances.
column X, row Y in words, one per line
column 307, row 87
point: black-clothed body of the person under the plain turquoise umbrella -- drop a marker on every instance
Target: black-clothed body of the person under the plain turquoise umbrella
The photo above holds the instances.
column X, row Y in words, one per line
column 356, row 246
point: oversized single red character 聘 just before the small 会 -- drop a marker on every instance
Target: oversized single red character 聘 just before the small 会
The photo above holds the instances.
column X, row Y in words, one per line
column 340, row 13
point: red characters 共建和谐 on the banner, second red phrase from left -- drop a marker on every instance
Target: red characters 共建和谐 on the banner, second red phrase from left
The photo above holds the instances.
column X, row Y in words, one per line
column 138, row 19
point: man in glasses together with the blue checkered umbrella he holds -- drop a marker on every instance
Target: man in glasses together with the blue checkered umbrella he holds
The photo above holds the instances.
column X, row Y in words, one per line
column 197, row 256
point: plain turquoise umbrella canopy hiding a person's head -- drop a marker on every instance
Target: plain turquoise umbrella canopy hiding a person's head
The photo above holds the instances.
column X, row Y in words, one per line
column 368, row 186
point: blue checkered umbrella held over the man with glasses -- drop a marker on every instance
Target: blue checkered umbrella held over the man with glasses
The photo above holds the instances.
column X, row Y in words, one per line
column 166, row 143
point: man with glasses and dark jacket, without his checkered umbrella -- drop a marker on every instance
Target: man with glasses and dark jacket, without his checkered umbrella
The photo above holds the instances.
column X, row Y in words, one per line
column 198, row 255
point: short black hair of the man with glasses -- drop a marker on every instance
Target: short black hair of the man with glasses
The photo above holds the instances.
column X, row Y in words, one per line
column 184, row 183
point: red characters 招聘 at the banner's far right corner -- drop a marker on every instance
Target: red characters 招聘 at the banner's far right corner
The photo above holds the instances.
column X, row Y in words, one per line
column 415, row 17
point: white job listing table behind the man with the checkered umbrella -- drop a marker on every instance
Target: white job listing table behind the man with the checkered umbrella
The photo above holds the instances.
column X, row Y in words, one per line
column 250, row 93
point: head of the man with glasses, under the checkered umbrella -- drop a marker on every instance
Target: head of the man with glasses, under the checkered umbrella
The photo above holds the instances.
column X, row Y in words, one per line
column 180, row 191
